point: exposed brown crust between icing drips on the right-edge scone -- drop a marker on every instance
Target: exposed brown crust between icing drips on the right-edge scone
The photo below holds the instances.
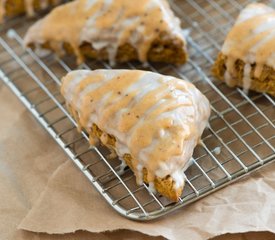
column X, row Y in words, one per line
column 265, row 83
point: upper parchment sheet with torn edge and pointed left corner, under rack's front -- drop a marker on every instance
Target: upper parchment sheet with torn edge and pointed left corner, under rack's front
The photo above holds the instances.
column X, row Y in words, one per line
column 67, row 205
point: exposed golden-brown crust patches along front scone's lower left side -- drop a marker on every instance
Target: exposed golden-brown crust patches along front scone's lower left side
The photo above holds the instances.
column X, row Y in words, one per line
column 164, row 186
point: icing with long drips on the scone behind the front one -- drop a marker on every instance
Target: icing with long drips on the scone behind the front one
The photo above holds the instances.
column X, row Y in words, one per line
column 107, row 24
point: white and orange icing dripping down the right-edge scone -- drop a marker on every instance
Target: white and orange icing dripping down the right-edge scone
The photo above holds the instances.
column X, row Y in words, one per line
column 252, row 39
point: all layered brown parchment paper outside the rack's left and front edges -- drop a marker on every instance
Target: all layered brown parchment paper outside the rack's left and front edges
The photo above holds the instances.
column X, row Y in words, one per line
column 42, row 191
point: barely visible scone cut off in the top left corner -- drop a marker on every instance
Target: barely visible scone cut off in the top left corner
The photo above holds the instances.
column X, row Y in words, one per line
column 12, row 8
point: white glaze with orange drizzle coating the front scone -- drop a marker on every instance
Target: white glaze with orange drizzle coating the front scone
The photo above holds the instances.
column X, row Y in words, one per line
column 188, row 116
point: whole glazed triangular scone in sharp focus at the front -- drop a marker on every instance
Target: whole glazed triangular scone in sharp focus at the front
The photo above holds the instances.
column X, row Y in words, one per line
column 153, row 122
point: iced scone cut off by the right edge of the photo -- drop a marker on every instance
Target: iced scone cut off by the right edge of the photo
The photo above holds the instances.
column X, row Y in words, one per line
column 247, row 58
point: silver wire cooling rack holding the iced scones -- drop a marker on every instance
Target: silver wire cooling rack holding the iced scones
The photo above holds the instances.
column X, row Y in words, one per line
column 241, row 134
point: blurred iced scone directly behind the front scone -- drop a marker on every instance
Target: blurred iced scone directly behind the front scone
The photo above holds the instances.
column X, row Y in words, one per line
column 117, row 30
